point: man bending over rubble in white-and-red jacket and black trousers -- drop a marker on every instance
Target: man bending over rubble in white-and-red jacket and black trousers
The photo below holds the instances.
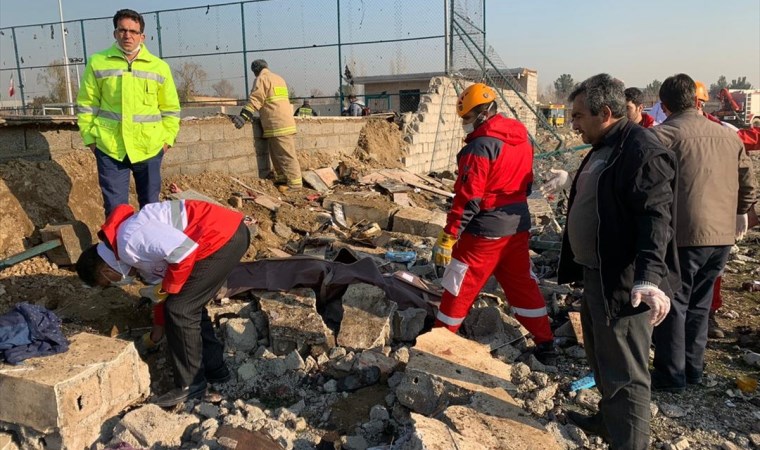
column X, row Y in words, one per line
column 191, row 246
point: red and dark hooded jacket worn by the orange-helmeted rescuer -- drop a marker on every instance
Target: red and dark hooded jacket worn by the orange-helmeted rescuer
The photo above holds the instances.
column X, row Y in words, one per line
column 495, row 178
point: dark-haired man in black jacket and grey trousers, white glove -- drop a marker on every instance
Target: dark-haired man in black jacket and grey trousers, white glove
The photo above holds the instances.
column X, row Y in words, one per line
column 619, row 240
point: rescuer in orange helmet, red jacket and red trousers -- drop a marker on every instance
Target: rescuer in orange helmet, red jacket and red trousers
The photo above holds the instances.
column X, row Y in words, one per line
column 487, row 229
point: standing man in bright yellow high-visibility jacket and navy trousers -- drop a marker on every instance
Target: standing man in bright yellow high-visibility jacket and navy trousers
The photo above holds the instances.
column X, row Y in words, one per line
column 128, row 113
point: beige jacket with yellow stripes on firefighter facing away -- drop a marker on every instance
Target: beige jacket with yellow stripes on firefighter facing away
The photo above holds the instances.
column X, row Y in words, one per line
column 270, row 98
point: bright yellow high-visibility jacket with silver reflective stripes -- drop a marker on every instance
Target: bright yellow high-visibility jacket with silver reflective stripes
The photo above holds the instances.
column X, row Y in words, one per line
column 128, row 108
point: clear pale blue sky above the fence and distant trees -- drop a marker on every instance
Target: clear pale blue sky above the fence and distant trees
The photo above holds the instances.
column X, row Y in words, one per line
column 635, row 41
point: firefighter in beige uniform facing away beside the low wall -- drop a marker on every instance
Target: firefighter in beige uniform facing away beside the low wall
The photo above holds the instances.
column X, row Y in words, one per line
column 270, row 98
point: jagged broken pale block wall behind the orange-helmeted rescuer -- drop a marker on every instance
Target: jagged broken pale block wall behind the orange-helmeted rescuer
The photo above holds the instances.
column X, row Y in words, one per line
column 435, row 132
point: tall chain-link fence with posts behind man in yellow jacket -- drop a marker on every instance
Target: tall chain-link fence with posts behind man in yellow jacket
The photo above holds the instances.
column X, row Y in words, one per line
column 310, row 43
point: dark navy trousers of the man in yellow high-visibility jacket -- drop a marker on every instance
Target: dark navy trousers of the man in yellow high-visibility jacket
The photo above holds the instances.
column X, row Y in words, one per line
column 113, row 177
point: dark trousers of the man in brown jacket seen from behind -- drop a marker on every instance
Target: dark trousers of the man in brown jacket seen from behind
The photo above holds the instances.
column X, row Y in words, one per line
column 680, row 340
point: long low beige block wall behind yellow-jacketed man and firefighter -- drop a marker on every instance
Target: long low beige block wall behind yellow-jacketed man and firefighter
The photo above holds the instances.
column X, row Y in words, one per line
column 211, row 144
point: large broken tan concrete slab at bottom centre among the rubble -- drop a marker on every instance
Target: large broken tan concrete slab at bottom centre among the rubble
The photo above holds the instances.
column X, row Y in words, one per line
column 447, row 369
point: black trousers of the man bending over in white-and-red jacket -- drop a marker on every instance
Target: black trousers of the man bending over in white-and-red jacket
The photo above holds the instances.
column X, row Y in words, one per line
column 193, row 346
